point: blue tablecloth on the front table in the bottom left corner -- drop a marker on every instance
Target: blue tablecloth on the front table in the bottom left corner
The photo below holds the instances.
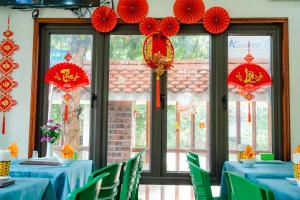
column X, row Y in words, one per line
column 28, row 189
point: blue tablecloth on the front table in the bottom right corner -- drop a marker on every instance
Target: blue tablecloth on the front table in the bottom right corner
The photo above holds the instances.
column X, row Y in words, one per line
column 282, row 189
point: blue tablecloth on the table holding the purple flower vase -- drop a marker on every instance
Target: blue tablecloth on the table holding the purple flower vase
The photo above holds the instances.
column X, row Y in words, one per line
column 63, row 178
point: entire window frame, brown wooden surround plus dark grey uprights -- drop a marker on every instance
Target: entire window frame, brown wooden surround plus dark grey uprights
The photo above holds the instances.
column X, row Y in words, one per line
column 219, row 45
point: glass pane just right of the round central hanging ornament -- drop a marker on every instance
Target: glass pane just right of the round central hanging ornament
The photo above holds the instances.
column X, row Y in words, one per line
column 188, row 102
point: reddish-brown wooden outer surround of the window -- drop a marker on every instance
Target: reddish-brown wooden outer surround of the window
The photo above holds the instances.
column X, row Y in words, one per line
column 285, row 92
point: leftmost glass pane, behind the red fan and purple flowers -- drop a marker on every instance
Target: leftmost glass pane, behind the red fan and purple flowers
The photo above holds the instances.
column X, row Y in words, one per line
column 77, row 128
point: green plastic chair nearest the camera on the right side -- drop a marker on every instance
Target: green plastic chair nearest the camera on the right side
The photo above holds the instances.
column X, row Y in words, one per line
column 244, row 189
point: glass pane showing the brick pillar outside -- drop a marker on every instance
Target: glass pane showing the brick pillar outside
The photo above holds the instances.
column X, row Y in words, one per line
column 129, row 100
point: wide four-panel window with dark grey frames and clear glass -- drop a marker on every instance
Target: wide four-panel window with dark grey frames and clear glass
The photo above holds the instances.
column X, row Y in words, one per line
column 199, row 111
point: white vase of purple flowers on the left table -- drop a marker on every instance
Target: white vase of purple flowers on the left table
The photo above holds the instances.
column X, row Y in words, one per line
column 51, row 132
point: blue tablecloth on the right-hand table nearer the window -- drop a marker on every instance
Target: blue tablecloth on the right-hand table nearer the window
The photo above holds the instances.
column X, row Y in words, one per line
column 260, row 170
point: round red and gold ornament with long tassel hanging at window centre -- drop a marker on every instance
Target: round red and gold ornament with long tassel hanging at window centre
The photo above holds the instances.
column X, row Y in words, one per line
column 158, row 53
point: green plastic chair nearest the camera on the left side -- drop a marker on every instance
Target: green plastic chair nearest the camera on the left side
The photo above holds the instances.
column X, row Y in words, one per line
column 89, row 191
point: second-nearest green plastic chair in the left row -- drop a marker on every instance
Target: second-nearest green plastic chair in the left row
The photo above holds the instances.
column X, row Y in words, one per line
column 110, row 184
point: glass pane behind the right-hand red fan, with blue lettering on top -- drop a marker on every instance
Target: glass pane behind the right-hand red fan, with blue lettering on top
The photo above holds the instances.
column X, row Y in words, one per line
column 256, row 132
